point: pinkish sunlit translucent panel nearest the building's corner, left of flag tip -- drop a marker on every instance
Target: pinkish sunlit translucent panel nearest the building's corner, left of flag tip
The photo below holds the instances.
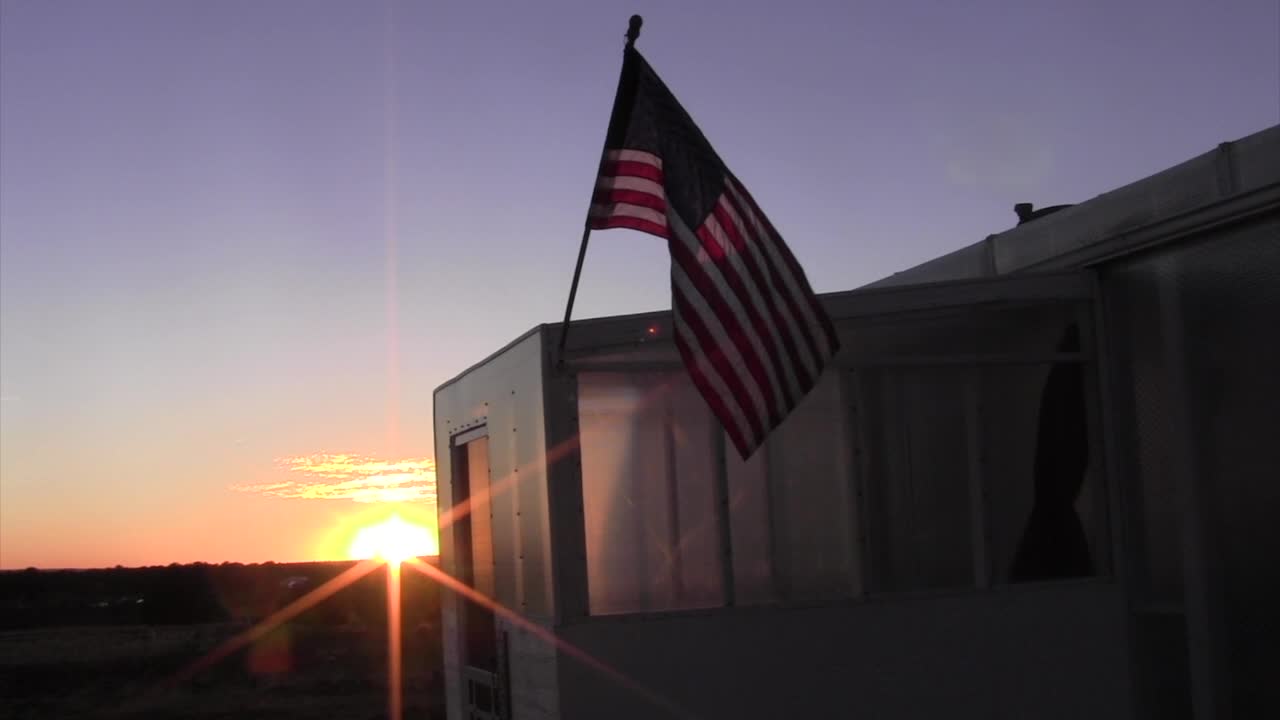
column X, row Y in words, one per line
column 648, row 471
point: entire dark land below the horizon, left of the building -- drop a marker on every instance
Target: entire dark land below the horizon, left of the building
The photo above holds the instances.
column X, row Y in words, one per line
column 136, row 644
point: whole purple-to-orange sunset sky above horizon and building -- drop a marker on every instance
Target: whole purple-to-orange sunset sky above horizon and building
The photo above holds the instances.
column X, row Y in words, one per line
column 243, row 241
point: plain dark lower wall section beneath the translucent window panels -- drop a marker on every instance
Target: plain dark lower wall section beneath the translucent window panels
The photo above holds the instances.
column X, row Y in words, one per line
column 1054, row 653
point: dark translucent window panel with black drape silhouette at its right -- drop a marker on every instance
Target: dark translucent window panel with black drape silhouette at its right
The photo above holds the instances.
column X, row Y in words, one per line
column 976, row 445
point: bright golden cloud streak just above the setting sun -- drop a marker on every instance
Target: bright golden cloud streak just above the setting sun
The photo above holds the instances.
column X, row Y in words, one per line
column 351, row 477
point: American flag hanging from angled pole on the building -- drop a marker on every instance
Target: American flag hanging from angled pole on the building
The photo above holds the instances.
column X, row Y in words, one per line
column 749, row 329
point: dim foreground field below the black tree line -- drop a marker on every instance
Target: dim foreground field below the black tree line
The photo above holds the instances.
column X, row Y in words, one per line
column 292, row 675
